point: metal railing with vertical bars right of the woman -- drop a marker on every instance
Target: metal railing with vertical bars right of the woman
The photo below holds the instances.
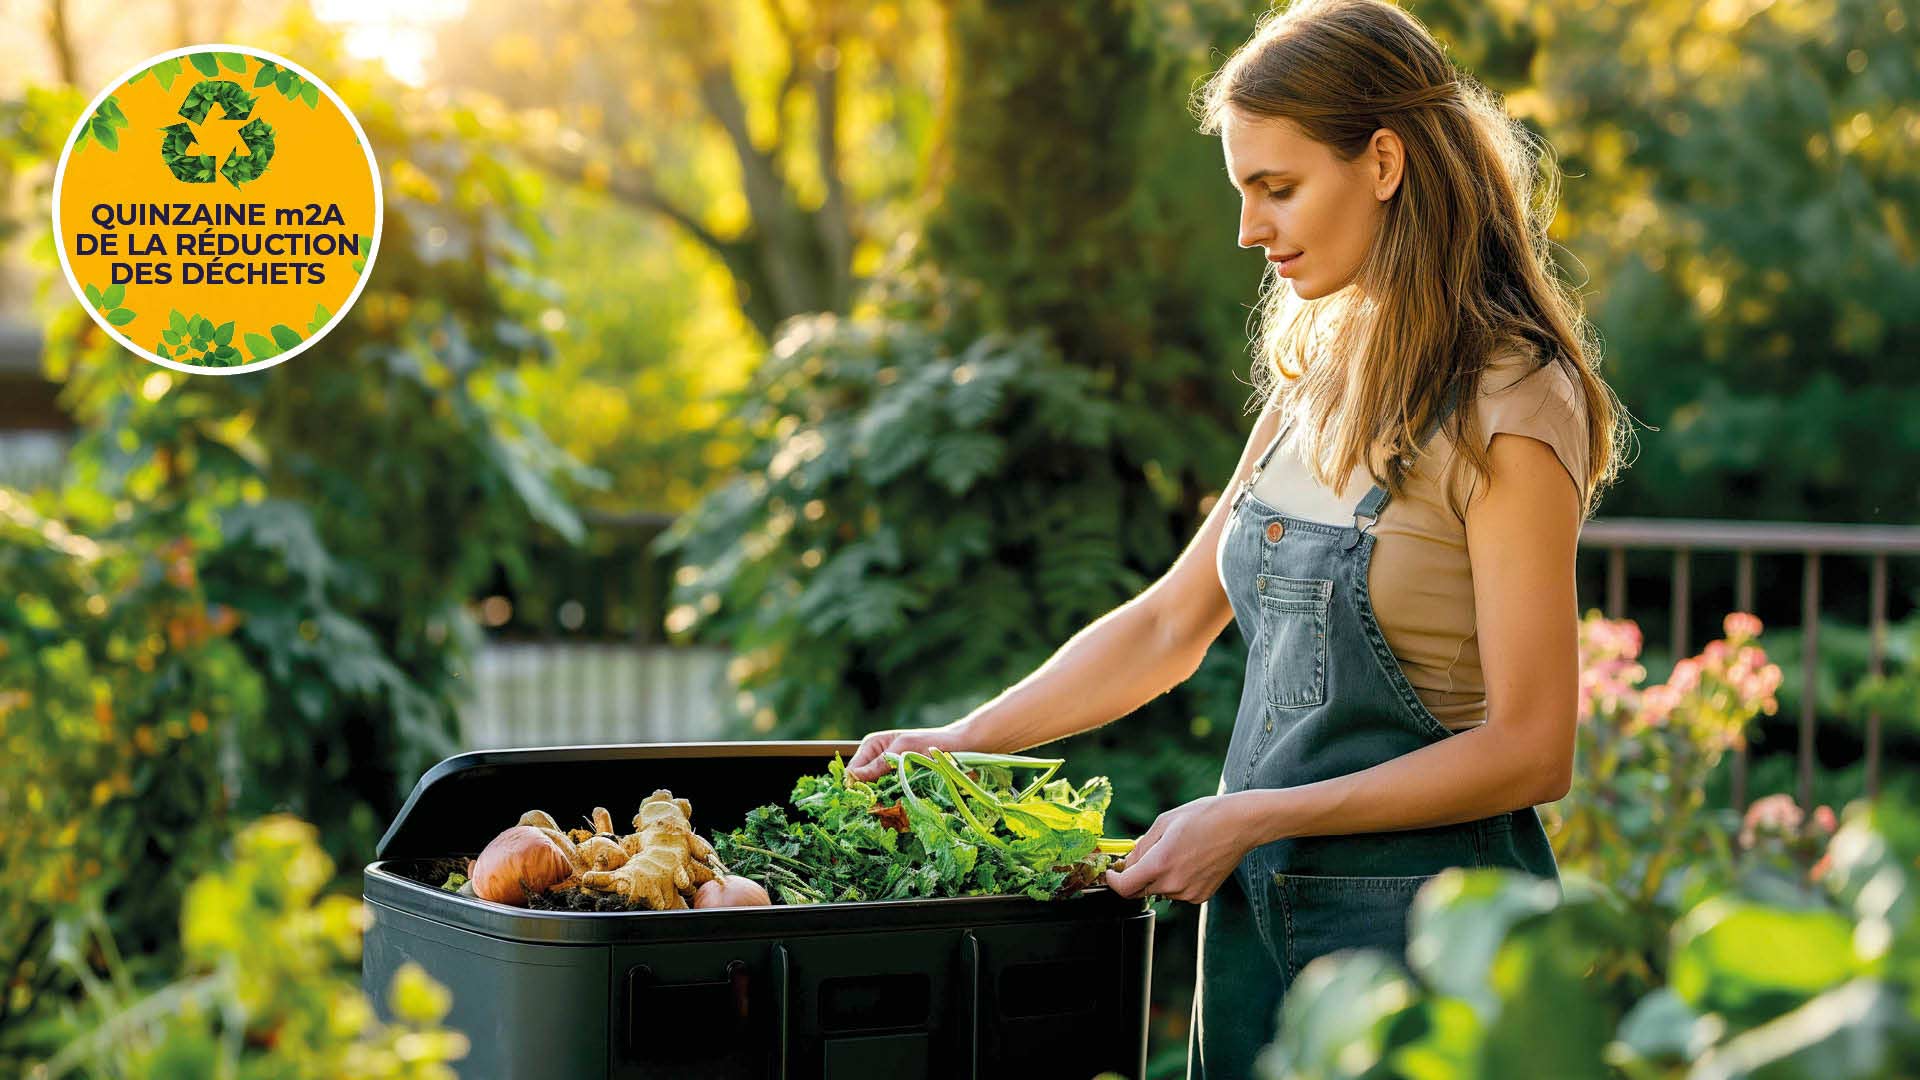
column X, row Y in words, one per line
column 1746, row 539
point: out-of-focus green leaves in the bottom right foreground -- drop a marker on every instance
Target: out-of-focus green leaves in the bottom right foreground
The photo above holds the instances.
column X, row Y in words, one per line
column 1792, row 973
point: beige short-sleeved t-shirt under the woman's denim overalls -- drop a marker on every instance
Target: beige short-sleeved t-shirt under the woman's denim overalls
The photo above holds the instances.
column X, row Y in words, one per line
column 1420, row 581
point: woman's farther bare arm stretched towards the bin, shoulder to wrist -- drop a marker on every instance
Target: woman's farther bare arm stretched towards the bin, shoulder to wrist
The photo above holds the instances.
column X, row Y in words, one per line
column 1132, row 654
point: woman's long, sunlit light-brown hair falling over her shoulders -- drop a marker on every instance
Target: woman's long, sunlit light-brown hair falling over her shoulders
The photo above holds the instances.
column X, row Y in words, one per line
column 1458, row 272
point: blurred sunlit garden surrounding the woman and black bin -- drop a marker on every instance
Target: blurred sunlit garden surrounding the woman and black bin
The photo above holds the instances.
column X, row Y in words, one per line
column 859, row 355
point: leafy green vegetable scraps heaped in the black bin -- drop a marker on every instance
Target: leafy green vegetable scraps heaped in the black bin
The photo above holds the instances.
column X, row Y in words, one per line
column 938, row 825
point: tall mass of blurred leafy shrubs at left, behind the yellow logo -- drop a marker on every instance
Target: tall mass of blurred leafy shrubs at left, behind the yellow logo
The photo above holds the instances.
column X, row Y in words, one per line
column 226, row 612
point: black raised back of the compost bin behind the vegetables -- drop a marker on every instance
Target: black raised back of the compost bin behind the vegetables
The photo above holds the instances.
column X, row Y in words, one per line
column 469, row 798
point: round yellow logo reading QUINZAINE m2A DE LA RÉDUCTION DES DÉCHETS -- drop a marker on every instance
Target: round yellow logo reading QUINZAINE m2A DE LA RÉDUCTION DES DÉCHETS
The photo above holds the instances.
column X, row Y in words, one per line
column 218, row 210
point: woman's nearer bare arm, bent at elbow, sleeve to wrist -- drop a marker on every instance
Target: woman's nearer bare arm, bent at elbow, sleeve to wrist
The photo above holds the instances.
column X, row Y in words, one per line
column 1522, row 539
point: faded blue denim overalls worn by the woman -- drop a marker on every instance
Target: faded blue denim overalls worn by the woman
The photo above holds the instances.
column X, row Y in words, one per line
column 1324, row 699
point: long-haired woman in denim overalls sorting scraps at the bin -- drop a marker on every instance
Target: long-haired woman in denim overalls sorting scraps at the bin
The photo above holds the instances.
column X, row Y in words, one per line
column 1374, row 749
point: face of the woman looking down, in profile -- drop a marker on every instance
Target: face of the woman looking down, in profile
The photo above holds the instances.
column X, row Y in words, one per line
column 1301, row 201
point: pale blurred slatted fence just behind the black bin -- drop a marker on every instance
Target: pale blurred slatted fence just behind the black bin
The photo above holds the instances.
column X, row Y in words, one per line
column 579, row 693
